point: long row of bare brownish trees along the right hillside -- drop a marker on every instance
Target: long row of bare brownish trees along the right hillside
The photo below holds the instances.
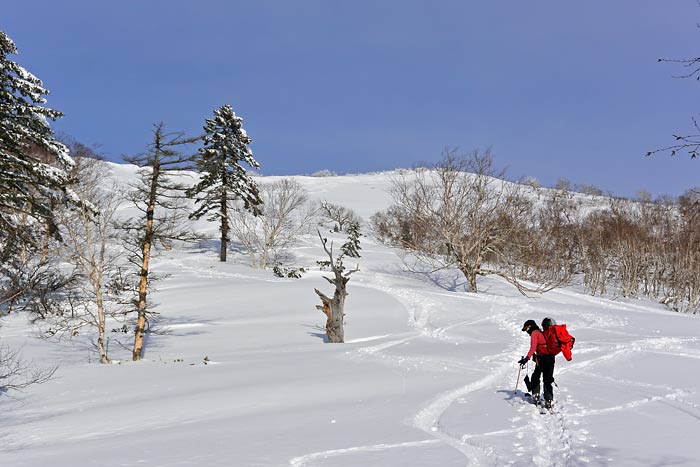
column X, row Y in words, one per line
column 462, row 214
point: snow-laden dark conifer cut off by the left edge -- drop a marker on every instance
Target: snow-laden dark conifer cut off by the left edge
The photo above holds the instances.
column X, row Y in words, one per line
column 32, row 163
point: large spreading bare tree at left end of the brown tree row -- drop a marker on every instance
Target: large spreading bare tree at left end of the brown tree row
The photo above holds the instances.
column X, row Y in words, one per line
column 464, row 215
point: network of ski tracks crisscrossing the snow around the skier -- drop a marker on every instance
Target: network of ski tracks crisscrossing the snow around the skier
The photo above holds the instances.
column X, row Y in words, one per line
column 559, row 439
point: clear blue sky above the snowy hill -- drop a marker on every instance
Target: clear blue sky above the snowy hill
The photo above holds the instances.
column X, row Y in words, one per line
column 555, row 88
